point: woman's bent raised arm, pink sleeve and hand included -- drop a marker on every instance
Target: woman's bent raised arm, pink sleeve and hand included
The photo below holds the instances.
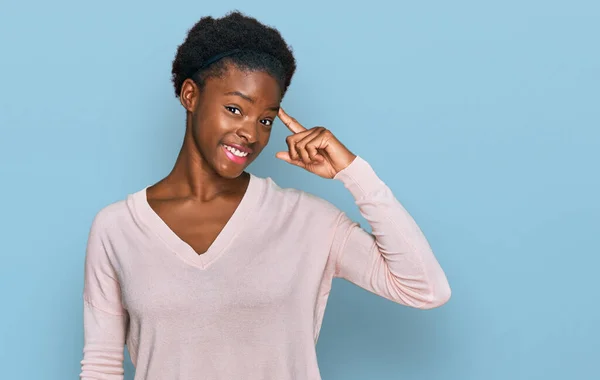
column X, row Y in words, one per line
column 395, row 260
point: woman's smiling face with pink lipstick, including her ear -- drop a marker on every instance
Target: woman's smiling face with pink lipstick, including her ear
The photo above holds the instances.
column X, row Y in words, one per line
column 232, row 117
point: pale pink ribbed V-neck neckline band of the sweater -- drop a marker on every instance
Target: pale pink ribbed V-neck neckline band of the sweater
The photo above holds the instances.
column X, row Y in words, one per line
column 240, row 217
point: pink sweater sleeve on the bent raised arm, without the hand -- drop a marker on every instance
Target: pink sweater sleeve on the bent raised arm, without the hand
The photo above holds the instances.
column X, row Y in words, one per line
column 395, row 260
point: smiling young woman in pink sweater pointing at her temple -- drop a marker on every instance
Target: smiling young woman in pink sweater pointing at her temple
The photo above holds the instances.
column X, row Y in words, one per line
column 213, row 273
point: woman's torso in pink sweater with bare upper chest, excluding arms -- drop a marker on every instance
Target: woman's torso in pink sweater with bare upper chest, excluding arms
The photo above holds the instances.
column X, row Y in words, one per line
column 255, row 298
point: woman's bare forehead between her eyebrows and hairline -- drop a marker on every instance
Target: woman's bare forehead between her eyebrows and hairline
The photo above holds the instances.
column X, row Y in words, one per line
column 256, row 84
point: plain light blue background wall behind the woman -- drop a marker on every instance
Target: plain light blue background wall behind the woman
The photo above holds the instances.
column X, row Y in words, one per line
column 482, row 117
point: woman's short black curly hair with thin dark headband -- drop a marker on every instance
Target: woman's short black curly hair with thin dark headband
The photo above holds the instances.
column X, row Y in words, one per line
column 246, row 43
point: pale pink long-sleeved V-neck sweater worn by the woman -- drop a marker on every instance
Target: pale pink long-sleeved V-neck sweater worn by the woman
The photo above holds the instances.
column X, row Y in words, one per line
column 250, row 307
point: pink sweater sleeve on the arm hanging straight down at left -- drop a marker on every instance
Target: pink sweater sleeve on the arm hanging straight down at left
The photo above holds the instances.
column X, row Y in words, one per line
column 104, row 318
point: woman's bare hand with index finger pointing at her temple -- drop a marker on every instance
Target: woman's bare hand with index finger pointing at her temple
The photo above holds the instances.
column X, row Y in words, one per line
column 316, row 150
